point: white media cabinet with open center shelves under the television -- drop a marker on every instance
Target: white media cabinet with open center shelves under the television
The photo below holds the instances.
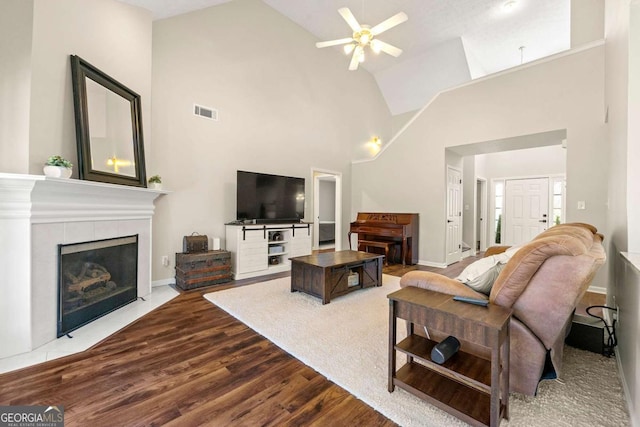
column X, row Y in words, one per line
column 260, row 249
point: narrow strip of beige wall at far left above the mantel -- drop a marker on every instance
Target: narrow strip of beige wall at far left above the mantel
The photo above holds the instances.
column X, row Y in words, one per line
column 16, row 17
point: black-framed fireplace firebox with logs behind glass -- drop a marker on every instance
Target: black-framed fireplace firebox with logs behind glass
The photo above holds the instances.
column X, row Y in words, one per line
column 95, row 278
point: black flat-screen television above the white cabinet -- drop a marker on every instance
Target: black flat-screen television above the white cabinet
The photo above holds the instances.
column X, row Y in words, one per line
column 269, row 198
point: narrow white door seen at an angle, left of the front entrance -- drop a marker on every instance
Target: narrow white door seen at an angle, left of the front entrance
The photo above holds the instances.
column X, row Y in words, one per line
column 454, row 215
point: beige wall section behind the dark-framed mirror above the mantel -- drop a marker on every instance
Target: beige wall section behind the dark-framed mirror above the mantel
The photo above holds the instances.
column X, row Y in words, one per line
column 113, row 36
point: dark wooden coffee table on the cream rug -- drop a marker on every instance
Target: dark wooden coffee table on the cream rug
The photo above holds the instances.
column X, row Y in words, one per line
column 327, row 275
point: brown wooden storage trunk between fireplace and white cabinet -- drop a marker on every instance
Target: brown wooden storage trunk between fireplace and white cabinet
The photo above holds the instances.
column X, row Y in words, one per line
column 196, row 270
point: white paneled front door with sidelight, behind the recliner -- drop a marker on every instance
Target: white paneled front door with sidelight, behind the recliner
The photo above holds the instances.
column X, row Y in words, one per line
column 526, row 209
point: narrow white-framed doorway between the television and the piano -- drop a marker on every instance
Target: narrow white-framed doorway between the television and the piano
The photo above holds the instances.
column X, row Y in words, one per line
column 327, row 209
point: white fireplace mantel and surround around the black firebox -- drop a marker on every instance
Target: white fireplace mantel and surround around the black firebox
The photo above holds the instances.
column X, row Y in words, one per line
column 36, row 214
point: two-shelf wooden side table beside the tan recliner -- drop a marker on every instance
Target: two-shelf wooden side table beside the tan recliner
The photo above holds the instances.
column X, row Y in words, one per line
column 469, row 387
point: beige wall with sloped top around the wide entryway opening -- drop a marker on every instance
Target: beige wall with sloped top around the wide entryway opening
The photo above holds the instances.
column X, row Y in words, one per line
column 562, row 93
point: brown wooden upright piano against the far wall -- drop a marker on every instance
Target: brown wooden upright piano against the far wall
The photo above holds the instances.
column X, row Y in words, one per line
column 389, row 227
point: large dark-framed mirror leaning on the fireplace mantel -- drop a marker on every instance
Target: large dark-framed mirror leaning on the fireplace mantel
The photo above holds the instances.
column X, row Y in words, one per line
column 108, row 127
